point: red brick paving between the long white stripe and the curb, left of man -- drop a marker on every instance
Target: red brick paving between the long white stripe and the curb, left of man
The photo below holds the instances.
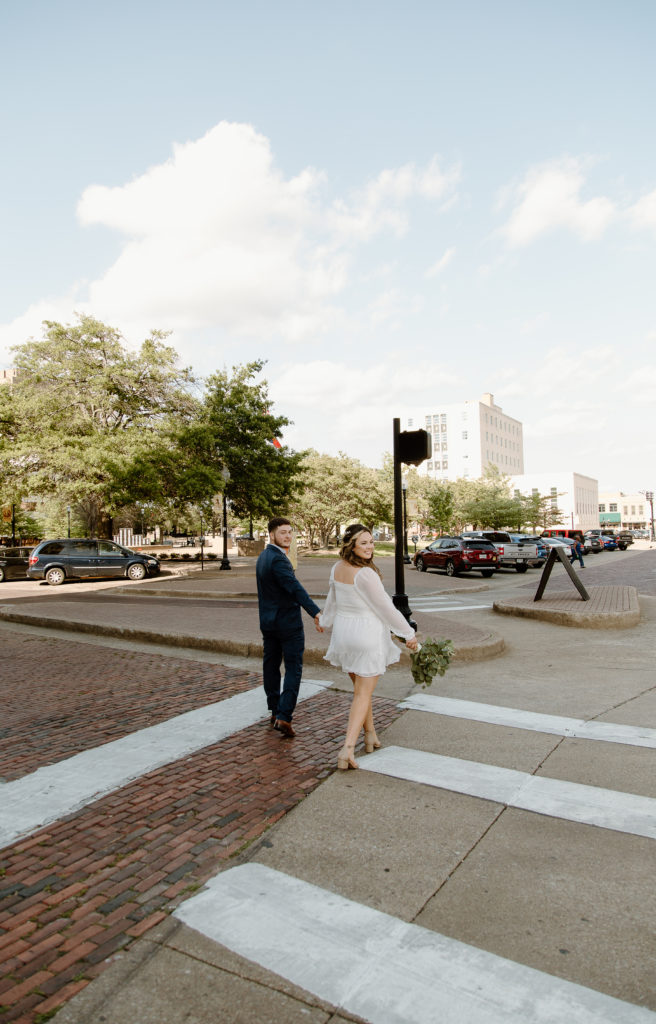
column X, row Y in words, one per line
column 60, row 698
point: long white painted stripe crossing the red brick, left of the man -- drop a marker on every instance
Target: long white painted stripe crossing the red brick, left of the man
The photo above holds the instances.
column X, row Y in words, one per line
column 55, row 791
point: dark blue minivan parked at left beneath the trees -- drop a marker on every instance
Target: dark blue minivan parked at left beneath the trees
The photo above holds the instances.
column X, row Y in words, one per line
column 56, row 562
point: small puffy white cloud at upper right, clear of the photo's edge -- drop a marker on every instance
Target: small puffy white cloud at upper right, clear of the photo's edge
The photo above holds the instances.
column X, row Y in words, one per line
column 549, row 198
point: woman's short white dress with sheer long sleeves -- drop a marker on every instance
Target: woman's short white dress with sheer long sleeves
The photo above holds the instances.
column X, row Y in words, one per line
column 363, row 616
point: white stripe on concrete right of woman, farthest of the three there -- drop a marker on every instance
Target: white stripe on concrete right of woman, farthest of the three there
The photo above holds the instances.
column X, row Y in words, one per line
column 613, row 733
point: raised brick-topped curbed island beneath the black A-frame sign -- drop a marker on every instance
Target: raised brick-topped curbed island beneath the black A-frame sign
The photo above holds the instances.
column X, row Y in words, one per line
column 598, row 614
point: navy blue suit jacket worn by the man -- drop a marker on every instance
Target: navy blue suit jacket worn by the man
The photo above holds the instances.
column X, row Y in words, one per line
column 281, row 596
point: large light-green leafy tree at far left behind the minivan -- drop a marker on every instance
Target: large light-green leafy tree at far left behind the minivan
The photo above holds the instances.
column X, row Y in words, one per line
column 82, row 407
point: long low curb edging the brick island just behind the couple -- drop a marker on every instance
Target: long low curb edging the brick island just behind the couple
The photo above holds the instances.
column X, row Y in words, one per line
column 489, row 647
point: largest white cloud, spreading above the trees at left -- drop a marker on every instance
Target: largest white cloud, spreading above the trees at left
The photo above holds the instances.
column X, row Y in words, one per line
column 218, row 238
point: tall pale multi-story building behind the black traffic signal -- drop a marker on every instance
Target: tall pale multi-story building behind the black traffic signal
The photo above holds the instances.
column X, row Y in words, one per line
column 469, row 437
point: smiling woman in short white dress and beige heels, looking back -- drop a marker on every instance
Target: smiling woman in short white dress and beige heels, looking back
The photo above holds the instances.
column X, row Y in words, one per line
column 362, row 615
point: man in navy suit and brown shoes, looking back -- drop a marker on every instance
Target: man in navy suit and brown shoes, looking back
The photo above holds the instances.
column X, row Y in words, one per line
column 281, row 599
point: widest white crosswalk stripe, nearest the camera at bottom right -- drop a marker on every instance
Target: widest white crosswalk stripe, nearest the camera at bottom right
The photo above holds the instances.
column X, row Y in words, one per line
column 380, row 968
